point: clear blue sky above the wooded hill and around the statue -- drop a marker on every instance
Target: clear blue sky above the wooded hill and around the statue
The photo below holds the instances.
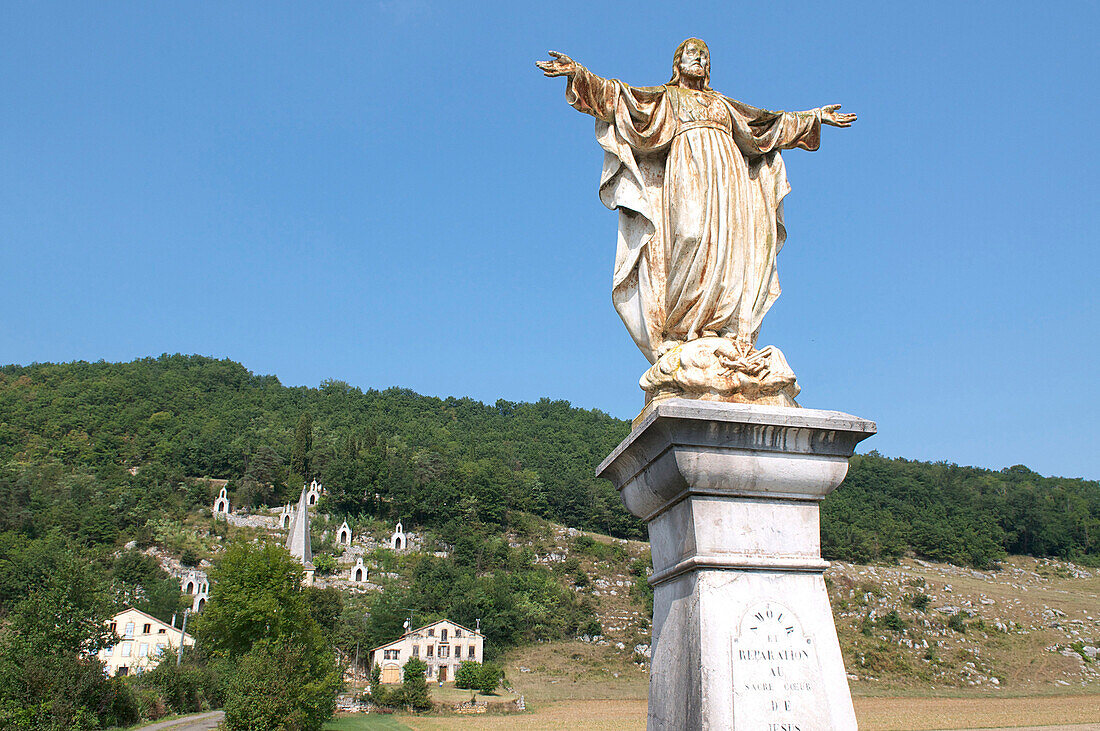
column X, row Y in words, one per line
column 391, row 194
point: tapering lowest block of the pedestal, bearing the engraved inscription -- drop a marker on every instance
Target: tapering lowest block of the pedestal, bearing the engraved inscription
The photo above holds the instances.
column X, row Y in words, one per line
column 747, row 650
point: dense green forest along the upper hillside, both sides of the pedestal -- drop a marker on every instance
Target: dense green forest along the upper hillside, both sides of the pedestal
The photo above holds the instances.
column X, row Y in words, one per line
column 71, row 436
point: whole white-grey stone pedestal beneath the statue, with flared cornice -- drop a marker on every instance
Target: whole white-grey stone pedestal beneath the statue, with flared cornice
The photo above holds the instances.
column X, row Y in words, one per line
column 743, row 633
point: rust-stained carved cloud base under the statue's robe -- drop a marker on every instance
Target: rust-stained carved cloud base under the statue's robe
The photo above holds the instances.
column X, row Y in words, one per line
column 716, row 370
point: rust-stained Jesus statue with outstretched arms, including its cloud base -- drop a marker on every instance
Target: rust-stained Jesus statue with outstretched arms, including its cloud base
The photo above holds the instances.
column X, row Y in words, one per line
column 699, row 183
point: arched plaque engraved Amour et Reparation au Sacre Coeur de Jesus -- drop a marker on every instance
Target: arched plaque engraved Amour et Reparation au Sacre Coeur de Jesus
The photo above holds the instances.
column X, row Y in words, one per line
column 777, row 674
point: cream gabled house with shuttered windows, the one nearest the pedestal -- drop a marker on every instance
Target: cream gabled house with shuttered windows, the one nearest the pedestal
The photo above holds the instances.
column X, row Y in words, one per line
column 443, row 646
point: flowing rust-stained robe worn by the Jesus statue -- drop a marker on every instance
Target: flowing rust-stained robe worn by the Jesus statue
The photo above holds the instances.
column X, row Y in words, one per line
column 699, row 184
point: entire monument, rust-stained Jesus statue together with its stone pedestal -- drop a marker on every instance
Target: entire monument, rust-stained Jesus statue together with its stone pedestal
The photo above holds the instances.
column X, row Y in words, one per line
column 723, row 466
